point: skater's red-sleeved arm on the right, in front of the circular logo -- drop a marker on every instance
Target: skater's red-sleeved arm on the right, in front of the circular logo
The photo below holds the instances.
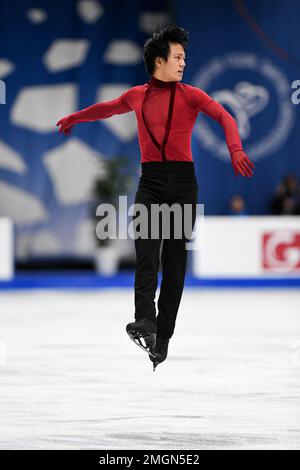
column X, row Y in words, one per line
column 204, row 103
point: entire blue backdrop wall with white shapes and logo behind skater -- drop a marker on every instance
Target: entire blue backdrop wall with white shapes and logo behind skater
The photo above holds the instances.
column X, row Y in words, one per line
column 60, row 56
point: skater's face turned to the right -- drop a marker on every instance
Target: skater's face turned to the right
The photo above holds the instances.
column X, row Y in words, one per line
column 172, row 69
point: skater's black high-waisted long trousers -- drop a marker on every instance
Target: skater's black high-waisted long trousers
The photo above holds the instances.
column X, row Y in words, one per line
column 169, row 183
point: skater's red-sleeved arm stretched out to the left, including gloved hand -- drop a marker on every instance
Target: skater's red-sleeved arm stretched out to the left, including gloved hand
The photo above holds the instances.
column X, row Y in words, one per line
column 93, row 113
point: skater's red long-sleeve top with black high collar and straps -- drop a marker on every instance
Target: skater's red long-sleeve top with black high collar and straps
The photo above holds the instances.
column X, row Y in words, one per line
column 166, row 113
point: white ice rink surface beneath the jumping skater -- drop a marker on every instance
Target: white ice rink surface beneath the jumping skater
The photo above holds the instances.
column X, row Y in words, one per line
column 70, row 378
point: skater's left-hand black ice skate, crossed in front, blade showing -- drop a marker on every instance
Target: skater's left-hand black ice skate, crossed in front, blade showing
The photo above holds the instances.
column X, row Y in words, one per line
column 143, row 334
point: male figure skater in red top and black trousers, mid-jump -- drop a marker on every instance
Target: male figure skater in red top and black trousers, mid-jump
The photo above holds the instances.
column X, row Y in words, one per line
column 166, row 111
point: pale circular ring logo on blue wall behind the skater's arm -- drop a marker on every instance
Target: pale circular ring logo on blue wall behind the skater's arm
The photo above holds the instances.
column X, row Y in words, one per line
column 266, row 89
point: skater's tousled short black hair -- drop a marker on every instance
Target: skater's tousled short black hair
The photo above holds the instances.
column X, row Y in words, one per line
column 159, row 44
